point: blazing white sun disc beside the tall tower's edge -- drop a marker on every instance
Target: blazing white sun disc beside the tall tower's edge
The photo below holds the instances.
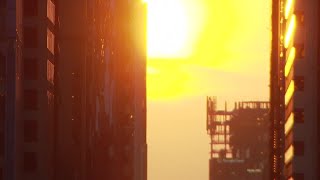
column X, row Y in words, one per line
column 168, row 29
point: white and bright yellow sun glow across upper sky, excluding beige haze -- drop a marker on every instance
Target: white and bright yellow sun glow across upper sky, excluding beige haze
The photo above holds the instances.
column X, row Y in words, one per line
column 201, row 33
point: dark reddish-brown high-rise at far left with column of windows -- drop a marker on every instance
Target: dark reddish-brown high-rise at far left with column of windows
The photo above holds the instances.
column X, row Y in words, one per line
column 27, row 81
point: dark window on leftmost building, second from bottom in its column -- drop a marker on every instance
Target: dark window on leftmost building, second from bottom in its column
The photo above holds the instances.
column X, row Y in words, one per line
column 30, row 130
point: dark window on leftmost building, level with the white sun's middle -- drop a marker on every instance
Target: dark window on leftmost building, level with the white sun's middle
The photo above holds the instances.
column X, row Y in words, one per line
column 30, row 37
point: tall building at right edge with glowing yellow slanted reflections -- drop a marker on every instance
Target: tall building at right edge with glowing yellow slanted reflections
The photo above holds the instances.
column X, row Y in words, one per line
column 295, row 89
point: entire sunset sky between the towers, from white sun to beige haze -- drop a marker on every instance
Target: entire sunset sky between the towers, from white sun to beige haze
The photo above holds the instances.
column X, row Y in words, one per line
column 198, row 48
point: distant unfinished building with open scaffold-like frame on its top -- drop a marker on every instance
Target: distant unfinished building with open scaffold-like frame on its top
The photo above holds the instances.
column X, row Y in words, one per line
column 239, row 141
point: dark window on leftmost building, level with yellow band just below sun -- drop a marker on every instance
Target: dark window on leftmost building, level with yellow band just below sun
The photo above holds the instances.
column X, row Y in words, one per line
column 31, row 71
